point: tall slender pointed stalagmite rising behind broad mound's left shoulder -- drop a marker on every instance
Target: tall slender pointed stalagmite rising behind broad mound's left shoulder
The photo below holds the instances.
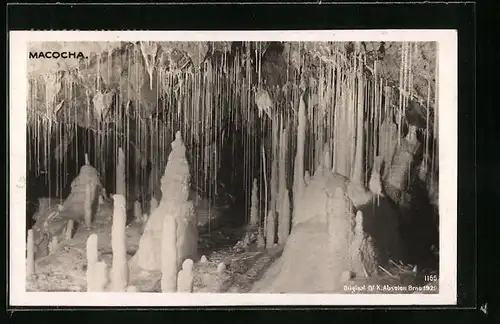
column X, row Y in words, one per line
column 298, row 185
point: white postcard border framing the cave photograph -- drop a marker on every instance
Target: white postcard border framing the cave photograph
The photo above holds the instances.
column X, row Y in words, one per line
column 448, row 174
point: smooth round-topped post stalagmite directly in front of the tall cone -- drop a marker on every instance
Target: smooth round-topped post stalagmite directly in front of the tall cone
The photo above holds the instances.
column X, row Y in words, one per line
column 169, row 255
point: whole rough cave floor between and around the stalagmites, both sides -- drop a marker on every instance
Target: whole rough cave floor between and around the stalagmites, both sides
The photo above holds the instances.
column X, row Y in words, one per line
column 245, row 265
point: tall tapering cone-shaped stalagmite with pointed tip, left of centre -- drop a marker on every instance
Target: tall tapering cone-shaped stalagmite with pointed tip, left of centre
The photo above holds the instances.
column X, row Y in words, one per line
column 174, row 203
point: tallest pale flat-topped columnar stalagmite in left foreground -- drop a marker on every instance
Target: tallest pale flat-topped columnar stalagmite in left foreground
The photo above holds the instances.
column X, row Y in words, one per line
column 118, row 244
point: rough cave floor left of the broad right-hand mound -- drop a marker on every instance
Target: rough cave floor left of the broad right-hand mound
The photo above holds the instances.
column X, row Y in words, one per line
column 64, row 270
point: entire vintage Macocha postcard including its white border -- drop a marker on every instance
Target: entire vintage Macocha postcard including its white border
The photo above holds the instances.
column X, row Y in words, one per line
column 264, row 168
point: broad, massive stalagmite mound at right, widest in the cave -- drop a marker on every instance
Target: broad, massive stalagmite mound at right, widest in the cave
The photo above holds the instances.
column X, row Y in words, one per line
column 329, row 242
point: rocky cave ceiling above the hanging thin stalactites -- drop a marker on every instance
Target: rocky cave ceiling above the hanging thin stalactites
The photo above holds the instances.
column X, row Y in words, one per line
column 114, row 70
